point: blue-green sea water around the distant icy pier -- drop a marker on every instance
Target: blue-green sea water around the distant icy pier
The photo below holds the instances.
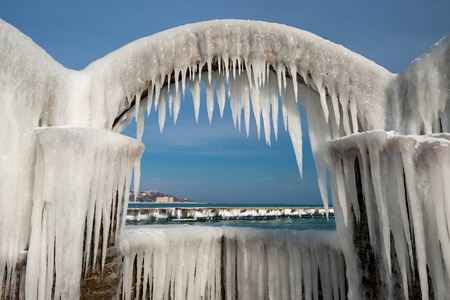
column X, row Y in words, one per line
column 280, row 223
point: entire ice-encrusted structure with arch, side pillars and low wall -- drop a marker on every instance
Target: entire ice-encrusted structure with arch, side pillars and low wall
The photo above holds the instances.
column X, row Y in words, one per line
column 382, row 137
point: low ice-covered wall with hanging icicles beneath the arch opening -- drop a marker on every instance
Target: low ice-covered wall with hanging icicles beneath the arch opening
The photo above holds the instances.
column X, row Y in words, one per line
column 197, row 262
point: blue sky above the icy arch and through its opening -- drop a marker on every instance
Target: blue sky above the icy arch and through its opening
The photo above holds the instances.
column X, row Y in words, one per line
column 217, row 163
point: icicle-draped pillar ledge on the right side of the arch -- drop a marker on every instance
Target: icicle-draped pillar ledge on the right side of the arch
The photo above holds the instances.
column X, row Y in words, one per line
column 407, row 199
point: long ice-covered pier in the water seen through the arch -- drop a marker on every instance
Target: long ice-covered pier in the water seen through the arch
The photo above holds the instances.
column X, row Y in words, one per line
column 223, row 213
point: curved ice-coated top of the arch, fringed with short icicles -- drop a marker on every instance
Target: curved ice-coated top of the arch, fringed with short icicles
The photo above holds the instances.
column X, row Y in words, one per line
column 353, row 83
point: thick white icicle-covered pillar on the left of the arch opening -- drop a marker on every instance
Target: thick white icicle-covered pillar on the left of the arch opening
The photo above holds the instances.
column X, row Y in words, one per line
column 82, row 177
